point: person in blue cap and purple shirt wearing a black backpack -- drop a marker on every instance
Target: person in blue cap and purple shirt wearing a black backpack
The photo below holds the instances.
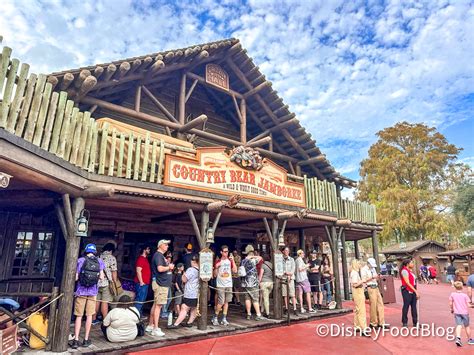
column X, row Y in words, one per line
column 89, row 270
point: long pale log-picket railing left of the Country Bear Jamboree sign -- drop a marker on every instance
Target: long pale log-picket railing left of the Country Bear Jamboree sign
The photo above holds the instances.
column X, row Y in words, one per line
column 31, row 110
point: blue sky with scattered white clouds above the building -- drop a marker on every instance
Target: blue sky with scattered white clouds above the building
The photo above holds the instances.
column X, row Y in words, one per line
column 346, row 68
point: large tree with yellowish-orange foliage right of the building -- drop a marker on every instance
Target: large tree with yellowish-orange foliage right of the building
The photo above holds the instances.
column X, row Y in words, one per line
column 410, row 175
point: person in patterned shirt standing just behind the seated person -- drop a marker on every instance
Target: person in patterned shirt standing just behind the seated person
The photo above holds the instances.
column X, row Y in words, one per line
column 104, row 296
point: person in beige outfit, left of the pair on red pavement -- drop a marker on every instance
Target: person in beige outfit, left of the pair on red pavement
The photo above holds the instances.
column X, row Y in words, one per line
column 357, row 286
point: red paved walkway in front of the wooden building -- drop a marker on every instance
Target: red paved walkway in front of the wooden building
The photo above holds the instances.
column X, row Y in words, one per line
column 302, row 338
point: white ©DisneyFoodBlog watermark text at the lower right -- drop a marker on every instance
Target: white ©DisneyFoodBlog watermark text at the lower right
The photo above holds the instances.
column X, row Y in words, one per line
column 423, row 330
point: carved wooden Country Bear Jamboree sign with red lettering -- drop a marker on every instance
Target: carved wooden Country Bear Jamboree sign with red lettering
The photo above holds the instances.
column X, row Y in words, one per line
column 213, row 171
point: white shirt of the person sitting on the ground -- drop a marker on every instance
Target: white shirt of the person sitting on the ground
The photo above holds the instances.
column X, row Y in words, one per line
column 121, row 324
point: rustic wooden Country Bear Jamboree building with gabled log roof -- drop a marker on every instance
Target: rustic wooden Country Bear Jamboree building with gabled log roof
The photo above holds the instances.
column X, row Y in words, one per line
column 187, row 144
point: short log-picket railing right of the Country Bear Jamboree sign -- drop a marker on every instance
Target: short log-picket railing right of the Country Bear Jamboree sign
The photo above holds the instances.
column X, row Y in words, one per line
column 322, row 195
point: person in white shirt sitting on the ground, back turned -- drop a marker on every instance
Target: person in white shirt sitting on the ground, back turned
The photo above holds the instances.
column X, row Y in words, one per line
column 120, row 324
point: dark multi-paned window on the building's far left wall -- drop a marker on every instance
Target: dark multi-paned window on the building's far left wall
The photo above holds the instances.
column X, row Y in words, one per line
column 33, row 252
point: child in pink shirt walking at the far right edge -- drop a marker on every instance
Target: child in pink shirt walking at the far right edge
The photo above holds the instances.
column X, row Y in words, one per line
column 459, row 305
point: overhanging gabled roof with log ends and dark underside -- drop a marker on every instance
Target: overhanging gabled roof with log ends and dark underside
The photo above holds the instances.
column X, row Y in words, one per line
column 266, row 108
